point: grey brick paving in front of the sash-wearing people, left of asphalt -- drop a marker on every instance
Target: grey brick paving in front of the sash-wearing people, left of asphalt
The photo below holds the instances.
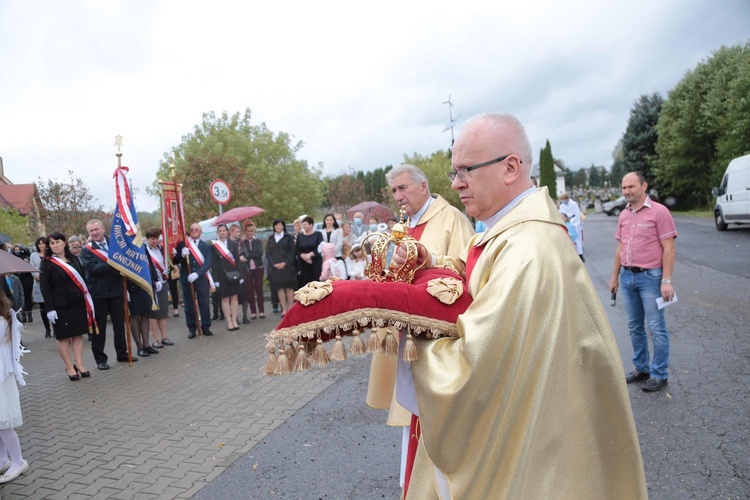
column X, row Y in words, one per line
column 161, row 428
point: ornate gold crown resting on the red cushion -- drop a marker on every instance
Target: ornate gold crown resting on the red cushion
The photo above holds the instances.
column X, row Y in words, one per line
column 377, row 268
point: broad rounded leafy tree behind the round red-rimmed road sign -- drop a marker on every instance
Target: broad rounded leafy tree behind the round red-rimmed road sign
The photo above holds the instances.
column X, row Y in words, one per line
column 259, row 165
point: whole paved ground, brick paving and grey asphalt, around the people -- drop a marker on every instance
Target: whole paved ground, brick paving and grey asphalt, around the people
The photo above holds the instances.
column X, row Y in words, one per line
column 201, row 420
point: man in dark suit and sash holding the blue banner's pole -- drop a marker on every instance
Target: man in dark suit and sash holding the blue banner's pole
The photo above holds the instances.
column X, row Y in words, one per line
column 105, row 287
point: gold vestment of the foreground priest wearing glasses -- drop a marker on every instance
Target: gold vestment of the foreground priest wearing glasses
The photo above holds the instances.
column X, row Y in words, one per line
column 530, row 401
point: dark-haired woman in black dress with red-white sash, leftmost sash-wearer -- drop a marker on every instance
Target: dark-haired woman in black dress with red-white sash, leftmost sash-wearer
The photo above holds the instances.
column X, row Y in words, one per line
column 65, row 299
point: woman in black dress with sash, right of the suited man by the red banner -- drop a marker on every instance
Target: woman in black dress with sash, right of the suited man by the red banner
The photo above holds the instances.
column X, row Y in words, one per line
column 226, row 273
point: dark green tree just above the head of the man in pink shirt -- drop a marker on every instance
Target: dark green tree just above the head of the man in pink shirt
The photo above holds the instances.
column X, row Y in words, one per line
column 639, row 139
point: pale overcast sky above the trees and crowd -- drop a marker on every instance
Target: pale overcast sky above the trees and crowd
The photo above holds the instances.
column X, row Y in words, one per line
column 359, row 84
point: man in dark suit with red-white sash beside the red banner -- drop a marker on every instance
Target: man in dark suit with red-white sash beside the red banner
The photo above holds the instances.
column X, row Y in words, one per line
column 198, row 253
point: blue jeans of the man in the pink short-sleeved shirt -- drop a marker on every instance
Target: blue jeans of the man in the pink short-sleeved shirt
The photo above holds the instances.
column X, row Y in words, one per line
column 639, row 292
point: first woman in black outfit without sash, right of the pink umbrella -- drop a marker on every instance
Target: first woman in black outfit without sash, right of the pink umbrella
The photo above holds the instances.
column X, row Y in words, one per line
column 280, row 255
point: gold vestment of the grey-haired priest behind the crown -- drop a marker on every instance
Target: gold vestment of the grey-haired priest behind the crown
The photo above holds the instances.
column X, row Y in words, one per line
column 447, row 232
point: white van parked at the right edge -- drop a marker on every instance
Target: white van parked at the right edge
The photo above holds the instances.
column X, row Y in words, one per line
column 733, row 196
